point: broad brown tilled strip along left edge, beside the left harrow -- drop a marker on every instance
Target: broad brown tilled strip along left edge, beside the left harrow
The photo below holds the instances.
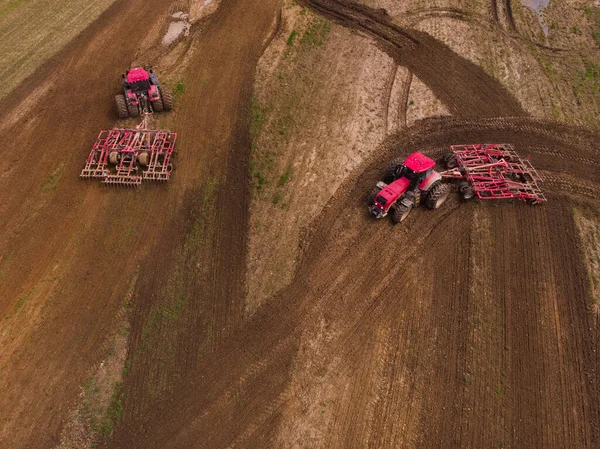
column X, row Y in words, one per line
column 62, row 243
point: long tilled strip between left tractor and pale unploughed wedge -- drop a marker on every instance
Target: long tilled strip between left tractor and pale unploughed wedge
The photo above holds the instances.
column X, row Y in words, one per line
column 207, row 251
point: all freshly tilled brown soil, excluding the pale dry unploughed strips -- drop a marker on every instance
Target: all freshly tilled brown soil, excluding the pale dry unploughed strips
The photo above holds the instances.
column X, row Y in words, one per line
column 468, row 326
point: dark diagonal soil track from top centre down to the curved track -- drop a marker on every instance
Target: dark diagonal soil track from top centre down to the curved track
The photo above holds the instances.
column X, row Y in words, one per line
column 460, row 85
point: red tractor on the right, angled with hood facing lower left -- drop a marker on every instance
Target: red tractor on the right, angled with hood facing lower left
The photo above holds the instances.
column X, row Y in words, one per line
column 408, row 184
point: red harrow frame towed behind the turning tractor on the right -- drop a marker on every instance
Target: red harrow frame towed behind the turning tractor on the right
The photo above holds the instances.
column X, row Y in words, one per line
column 495, row 171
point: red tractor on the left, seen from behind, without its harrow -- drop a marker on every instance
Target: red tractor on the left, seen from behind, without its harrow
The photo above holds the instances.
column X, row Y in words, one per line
column 142, row 94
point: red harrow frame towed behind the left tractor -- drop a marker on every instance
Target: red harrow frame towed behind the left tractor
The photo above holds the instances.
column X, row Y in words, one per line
column 128, row 156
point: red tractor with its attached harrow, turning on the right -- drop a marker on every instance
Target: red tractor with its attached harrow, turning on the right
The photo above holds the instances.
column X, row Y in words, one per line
column 488, row 171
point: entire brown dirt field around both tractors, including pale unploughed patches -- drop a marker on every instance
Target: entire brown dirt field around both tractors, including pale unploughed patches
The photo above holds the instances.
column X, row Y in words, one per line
column 263, row 307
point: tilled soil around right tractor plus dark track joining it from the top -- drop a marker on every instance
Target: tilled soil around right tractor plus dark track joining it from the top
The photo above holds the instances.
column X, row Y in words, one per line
column 464, row 327
